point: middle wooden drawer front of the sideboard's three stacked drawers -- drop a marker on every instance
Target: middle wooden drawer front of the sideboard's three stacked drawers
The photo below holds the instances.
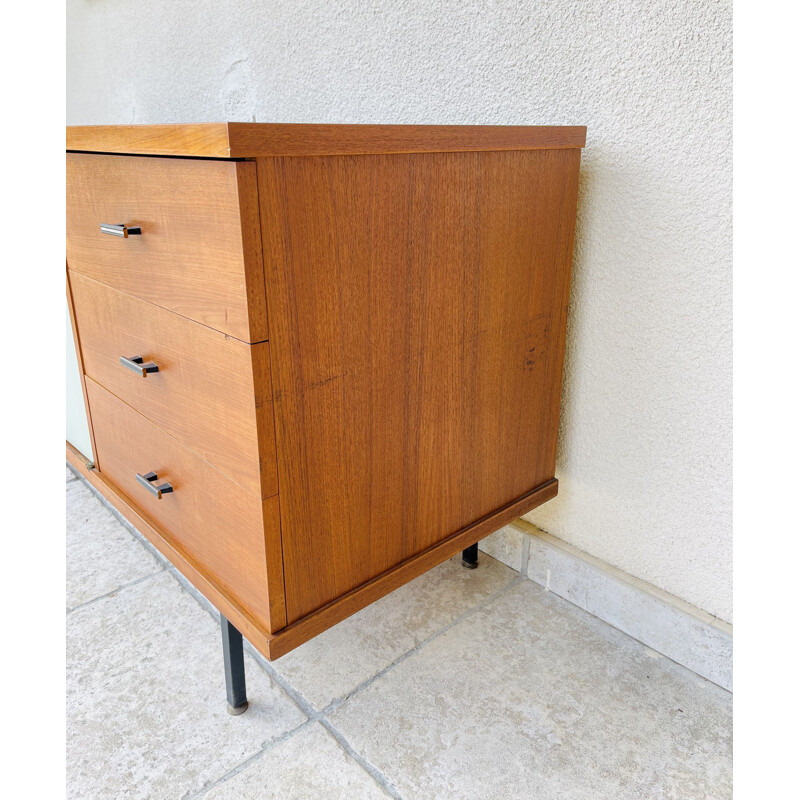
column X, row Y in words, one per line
column 211, row 392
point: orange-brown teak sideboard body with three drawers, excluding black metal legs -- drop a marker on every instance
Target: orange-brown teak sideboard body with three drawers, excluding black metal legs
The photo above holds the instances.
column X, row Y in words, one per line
column 318, row 360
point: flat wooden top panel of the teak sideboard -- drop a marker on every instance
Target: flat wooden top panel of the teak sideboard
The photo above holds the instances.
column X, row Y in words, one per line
column 254, row 139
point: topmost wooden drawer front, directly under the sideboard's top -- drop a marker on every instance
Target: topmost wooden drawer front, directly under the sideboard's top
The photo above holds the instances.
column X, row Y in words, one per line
column 199, row 251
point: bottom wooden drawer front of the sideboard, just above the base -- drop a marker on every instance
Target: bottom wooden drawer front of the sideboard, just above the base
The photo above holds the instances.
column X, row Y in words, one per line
column 230, row 535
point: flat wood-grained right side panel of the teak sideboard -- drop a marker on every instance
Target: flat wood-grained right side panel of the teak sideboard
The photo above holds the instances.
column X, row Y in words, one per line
column 417, row 307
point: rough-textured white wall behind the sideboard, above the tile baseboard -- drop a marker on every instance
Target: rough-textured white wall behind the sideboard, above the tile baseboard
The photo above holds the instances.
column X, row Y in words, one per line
column 644, row 462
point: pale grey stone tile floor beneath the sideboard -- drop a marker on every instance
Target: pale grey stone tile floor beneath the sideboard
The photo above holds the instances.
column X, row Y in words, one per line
column 462, row 684
